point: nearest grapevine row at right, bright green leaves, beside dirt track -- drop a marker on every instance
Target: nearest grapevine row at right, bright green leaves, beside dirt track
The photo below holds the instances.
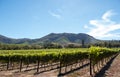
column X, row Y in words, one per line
column 99, row 56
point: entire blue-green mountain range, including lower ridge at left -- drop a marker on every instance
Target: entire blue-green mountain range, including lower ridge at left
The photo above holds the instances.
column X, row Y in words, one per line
column 60, row 38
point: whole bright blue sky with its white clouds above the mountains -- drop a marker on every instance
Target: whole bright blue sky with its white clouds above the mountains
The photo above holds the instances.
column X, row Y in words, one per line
column 37, row 18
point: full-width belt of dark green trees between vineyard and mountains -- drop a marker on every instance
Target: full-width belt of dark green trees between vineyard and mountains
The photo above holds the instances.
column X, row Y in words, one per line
column 109, row 44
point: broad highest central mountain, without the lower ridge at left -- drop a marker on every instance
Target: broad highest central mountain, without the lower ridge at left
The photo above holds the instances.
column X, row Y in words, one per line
column 66, row 38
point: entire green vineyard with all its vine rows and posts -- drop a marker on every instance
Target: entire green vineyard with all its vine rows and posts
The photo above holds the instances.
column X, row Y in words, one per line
column 65, row 60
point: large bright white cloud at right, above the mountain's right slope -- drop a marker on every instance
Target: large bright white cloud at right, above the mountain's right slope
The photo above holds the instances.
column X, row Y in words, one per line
column 103, row 28
